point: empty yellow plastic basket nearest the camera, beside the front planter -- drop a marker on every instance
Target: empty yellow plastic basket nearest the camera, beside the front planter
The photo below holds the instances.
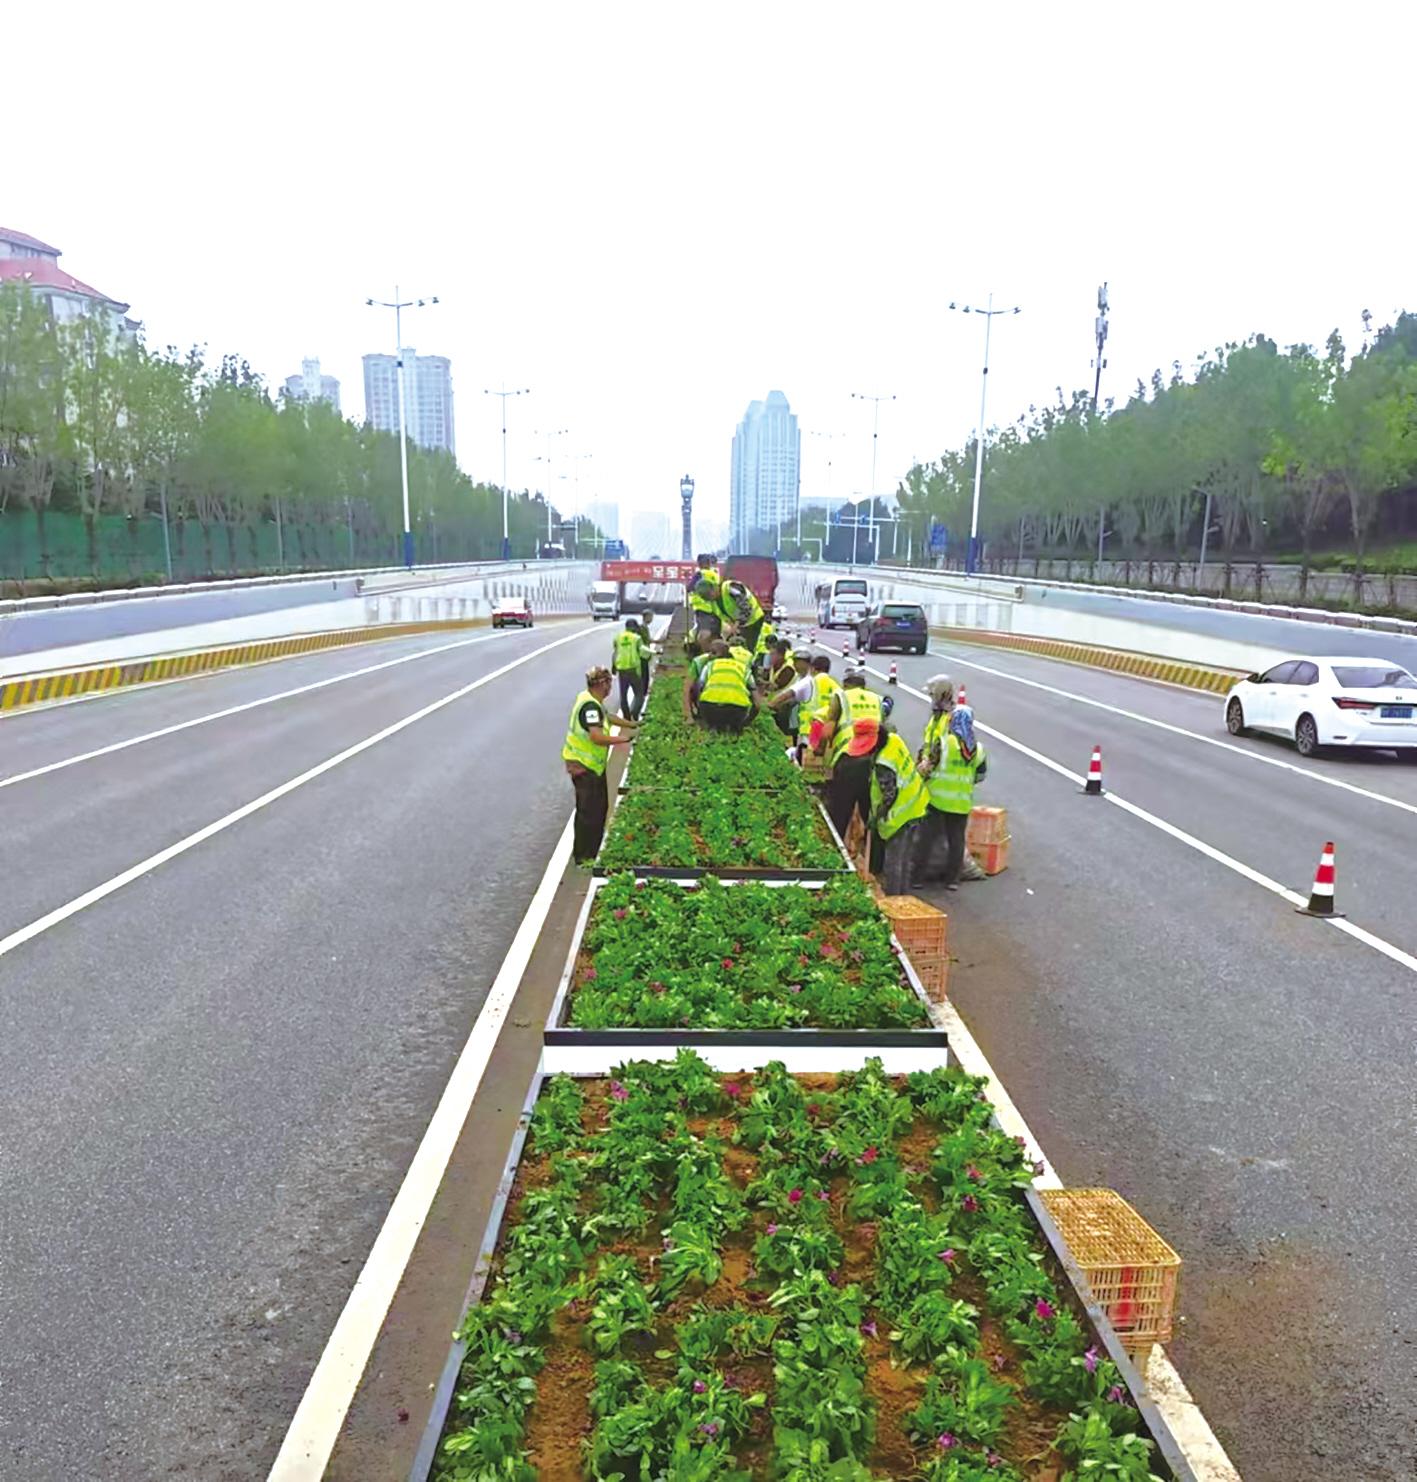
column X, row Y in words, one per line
column 1130, row 1268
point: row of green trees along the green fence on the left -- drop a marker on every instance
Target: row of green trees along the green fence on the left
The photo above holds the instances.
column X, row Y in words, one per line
column 96, row 425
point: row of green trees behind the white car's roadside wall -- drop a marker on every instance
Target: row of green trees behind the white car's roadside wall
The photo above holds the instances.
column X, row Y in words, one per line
column 1287, row 448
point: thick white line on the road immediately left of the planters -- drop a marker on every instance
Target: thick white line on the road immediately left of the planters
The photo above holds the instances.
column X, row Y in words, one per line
column 318, row 1420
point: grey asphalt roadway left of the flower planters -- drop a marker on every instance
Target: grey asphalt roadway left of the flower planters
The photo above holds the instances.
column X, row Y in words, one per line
column 213, row 1080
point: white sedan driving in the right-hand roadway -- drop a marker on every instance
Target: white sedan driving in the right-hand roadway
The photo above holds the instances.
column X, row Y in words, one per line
column 1330, row 703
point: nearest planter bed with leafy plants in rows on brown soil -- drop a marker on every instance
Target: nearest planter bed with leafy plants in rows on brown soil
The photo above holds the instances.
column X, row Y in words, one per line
column 767, row 1272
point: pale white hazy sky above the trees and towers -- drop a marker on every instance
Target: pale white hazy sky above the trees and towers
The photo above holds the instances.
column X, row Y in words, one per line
column 651, row 214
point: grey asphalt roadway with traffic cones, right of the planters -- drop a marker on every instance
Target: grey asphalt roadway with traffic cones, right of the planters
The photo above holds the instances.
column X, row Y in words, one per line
column 1247, row 1077
